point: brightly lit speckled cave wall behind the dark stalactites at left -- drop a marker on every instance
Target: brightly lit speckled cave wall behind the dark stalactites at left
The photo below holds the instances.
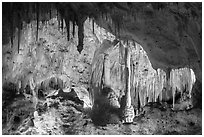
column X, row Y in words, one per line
column 52, row 55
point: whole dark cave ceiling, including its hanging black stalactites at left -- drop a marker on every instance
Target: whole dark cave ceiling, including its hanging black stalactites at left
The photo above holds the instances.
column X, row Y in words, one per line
column 170, row 33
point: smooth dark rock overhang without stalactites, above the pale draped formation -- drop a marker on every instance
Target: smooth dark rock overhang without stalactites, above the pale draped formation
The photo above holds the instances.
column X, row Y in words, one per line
column 170, row 33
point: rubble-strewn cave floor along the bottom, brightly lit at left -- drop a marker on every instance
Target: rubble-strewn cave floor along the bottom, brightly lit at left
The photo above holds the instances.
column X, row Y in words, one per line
column 62, row 116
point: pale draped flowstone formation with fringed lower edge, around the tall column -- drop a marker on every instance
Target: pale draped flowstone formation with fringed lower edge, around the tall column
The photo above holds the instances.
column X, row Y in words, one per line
column 146, row 84
